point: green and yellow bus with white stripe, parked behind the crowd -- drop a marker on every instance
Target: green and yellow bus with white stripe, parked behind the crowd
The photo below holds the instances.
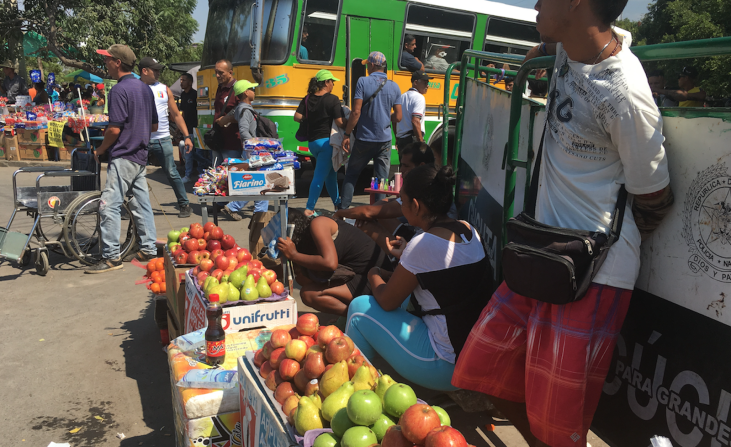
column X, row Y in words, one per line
column 339, row 35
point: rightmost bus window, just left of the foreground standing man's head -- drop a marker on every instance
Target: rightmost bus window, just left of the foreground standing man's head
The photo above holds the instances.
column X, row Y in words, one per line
column 510, row 37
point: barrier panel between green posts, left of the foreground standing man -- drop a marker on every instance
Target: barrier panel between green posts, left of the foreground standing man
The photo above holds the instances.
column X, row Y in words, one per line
column 480, row 194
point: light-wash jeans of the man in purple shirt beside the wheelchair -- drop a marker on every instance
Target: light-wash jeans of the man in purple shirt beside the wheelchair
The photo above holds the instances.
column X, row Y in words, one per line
column 126, row 177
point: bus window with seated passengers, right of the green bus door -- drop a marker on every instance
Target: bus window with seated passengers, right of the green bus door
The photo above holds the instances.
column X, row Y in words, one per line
column 441, row 35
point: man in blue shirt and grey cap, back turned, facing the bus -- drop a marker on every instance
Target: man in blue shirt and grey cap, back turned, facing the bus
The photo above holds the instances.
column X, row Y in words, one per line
column 375, row 96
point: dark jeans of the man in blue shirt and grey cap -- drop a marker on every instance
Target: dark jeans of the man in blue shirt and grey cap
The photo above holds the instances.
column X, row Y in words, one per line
column 362, row 153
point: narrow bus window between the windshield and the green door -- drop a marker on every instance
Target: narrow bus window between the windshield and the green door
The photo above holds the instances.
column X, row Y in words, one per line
column 319, row 31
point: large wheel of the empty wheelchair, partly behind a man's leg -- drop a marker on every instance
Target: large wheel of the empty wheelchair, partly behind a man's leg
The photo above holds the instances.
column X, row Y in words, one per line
column 82, row 230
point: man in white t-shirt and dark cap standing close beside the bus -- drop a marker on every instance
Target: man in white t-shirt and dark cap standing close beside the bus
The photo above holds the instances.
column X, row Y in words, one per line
column 413, row 109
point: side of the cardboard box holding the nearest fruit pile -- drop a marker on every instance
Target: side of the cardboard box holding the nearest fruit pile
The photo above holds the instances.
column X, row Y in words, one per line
column 260, row 424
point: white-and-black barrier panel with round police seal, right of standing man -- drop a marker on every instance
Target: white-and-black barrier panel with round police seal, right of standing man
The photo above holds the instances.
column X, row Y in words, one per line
column 671, row 372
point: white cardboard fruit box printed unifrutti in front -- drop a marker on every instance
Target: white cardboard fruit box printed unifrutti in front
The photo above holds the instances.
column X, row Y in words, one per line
column 237, row 318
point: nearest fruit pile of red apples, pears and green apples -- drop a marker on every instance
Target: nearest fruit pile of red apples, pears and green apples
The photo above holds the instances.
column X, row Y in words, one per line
column 321, row 380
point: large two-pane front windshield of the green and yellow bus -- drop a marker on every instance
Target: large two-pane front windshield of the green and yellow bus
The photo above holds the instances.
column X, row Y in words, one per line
column 229, row 30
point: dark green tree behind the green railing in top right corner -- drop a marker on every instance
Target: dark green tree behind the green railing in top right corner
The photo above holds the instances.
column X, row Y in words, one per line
column 682, row 20
